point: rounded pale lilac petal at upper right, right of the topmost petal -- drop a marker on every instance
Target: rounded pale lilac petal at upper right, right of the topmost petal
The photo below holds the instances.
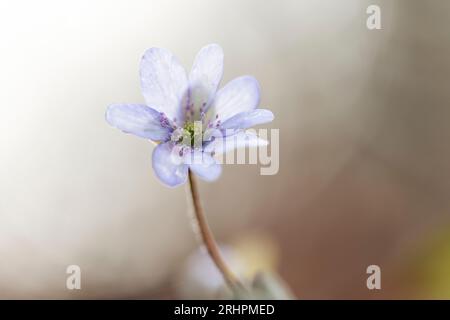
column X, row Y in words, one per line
column 239, row 95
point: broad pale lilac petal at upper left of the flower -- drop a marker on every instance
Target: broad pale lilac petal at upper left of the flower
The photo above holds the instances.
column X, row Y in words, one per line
column 163, row 82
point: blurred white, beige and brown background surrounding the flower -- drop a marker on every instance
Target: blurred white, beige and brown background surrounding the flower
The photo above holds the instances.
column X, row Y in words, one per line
column 364, row 154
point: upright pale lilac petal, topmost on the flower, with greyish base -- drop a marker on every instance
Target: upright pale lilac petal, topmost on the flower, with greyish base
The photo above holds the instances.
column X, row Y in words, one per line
column 205, row 76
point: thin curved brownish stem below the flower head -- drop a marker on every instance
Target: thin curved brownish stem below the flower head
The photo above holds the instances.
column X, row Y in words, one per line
column 208, row 238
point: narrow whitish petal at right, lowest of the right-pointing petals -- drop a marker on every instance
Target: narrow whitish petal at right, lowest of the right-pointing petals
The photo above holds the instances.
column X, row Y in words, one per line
column 239, row 140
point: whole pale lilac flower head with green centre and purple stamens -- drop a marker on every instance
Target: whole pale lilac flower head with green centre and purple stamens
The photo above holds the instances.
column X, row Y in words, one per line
column 188, row 118
